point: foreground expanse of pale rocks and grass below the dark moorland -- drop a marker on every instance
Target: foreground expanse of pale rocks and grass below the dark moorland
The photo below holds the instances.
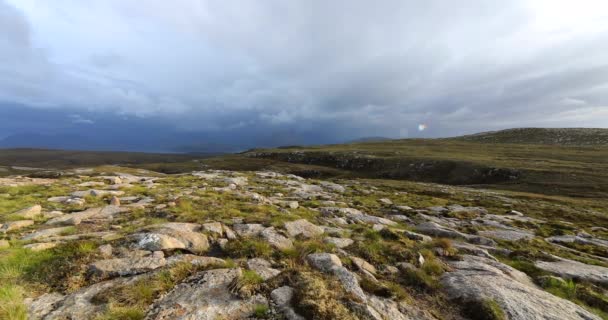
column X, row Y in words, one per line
column 123, row 243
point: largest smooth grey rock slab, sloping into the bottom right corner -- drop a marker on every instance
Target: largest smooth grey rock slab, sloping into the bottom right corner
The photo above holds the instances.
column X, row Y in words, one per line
column 477, row 279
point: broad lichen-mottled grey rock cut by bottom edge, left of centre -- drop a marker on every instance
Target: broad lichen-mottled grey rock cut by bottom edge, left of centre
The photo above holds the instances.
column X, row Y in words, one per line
column 205, row 296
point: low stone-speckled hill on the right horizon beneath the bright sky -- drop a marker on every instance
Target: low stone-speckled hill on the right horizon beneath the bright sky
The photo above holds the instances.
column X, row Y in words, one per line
column 549, row 136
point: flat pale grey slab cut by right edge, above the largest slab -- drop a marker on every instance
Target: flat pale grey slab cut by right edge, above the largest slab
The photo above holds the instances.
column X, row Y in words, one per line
column 570, row 269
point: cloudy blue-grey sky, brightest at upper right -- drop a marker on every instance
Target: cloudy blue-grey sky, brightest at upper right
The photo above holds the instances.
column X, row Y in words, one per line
column 301, row 71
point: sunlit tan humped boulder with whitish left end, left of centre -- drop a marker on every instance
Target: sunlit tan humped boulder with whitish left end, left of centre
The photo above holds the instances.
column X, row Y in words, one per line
column 167, row 238
